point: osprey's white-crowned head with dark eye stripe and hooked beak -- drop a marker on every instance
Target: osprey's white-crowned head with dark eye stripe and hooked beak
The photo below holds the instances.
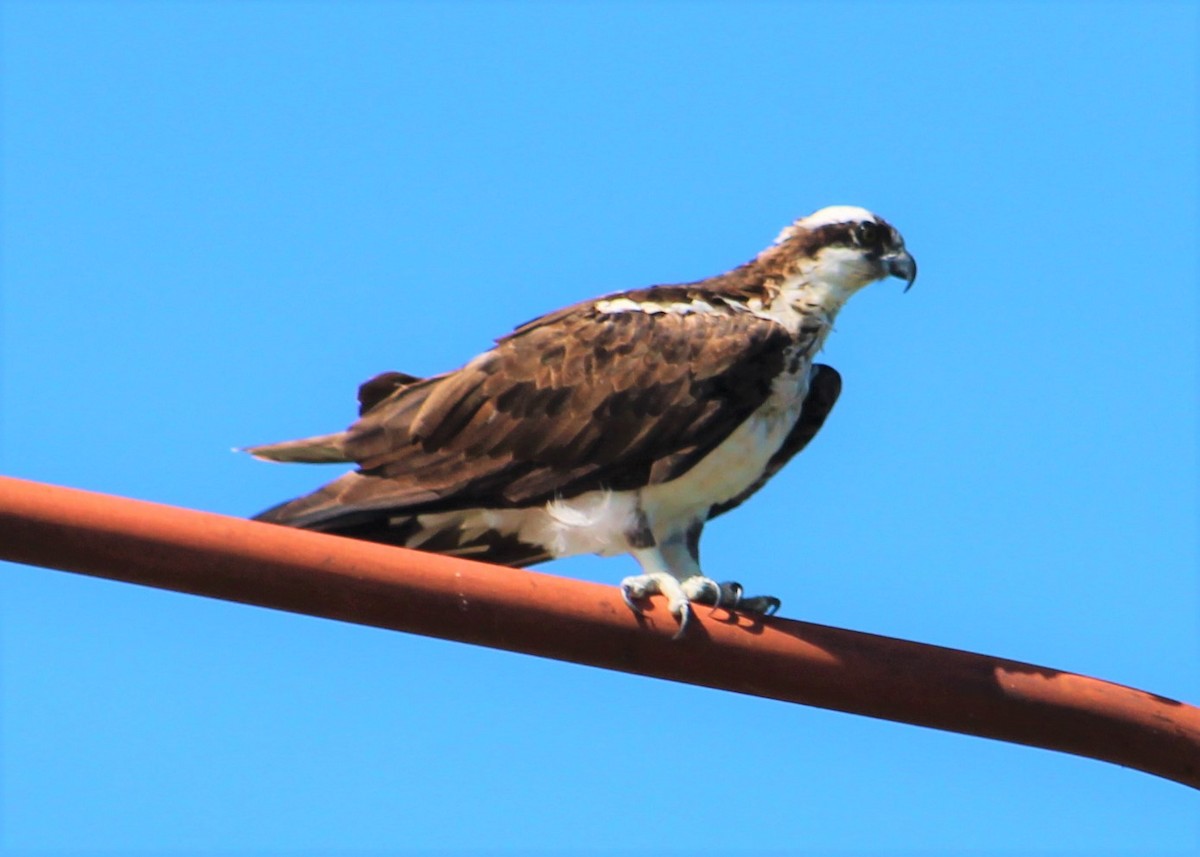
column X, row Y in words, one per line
column 842, row 249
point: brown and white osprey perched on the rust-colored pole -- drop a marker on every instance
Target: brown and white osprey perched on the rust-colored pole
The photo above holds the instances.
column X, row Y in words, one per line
column 619, row 425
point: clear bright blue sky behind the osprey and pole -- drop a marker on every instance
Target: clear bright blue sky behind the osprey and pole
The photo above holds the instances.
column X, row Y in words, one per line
column 220, row 218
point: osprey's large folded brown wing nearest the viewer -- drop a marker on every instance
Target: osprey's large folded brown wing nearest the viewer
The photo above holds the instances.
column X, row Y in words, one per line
column 568, row 404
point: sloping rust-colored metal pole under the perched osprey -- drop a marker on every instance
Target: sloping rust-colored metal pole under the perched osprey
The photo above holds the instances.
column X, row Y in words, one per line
column 587, row 624
